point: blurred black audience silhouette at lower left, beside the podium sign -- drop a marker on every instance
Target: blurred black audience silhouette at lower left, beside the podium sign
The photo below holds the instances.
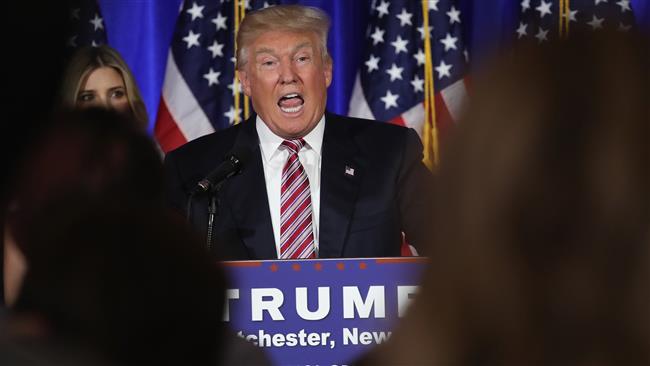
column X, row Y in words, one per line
column 124, row 285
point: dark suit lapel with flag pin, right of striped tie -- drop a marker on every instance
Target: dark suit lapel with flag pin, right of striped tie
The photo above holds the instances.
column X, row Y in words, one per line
column 341, row 174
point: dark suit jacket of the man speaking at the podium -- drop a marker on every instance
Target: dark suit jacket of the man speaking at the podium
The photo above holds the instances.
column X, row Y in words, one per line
column 361, row 215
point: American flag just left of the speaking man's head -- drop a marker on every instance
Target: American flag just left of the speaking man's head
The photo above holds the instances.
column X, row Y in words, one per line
column 199, row 90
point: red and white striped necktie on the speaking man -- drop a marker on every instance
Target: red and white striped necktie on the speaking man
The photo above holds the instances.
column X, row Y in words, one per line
column 296, row 231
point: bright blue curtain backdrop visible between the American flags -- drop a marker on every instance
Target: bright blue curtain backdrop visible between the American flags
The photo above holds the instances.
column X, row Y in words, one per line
column 141, row 31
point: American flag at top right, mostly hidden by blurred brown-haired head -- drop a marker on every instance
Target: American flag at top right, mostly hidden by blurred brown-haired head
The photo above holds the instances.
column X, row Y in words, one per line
column 544, row 20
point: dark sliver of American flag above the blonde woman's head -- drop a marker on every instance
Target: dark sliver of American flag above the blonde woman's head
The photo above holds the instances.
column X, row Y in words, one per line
column 86, row 25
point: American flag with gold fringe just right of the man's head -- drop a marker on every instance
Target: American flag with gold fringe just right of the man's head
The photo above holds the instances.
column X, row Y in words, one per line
column 390, row 86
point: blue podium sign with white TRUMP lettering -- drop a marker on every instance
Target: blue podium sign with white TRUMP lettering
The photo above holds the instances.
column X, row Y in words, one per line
column 321, row 311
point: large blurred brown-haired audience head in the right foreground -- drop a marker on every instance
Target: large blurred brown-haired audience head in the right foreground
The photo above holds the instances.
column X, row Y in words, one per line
column 542, row 224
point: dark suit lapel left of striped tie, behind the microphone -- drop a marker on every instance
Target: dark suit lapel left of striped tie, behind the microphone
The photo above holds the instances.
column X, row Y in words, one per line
column 249, row 204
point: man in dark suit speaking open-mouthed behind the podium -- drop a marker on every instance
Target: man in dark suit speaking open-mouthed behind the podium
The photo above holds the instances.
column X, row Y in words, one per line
column 316, row 184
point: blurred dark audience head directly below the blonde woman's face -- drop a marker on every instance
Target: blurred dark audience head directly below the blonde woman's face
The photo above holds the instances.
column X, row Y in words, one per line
column 89, row 155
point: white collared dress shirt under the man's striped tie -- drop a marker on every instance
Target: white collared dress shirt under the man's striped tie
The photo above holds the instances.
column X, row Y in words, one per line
column 274, row 158
